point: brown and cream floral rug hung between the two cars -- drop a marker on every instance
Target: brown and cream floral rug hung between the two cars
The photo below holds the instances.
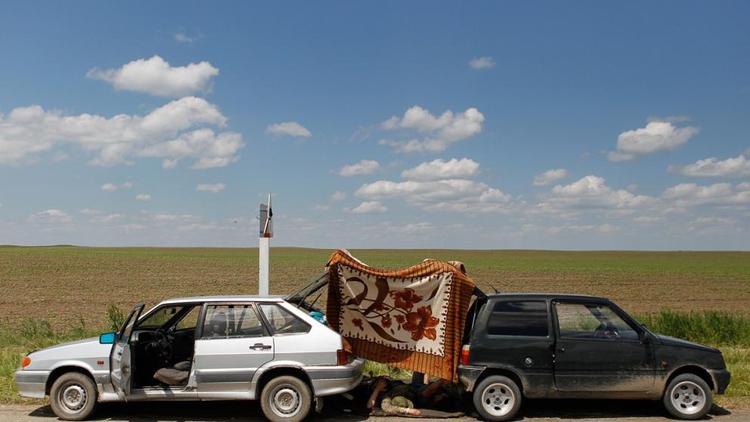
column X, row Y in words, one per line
column 412, row 318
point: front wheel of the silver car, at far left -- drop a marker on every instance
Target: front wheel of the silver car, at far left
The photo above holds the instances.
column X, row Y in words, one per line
column 73, row 396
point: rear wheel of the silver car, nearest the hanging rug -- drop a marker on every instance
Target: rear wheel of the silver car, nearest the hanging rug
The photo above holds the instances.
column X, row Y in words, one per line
column 286, row 389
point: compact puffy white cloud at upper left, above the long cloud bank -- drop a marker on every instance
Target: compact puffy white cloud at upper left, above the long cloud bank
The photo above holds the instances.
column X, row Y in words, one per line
column 156, row 77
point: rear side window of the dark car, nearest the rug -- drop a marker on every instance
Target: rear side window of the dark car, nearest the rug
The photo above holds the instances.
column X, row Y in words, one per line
column 519, row 318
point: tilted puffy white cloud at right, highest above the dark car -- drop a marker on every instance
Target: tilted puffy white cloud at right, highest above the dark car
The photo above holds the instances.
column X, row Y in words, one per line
column 656, row 136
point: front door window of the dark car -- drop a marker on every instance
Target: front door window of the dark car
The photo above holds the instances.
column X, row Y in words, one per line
column 591, row 320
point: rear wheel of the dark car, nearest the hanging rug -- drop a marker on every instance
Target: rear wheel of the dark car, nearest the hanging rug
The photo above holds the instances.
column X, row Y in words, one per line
column 497, row 398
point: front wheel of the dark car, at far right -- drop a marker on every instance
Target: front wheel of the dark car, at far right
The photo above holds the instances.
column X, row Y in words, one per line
column 688, row 397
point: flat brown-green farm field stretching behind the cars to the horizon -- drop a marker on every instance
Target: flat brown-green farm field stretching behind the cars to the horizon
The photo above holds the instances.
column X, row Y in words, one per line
column 70, row 285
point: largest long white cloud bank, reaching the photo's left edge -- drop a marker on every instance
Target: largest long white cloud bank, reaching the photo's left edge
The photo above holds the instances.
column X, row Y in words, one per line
column 172, row 132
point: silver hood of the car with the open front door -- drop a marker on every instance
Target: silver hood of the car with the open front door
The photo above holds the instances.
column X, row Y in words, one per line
column 86, row 350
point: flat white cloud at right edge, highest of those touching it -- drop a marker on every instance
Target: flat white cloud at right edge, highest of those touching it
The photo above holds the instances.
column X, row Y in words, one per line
column 691, row 194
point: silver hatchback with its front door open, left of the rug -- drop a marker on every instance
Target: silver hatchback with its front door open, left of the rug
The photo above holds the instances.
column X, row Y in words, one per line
column 199, row 348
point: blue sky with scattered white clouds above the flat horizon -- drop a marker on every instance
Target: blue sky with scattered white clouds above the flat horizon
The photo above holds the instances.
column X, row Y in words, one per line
column 386, row 124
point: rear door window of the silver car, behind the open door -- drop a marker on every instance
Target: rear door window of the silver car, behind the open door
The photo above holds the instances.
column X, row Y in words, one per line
column 232, row 321
